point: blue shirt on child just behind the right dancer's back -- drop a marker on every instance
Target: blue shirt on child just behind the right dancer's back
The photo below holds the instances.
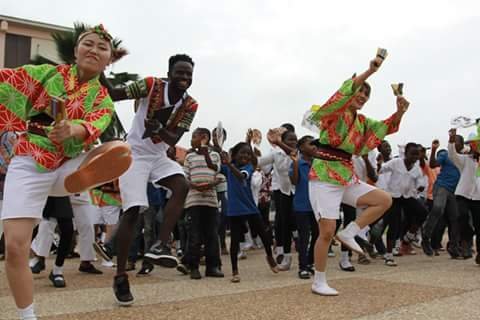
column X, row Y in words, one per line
column 301, row 199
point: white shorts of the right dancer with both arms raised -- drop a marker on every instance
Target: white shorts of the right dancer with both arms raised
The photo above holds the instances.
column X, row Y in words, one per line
column 326, row 197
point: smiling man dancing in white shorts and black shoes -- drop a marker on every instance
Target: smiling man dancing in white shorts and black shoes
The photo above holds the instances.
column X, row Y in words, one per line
column 165, row 112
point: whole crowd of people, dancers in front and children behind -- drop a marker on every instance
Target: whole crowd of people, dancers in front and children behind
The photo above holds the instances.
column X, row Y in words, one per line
column 132, row 200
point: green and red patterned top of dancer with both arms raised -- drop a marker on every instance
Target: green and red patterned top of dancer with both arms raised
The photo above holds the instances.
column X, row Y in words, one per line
column 341, row 129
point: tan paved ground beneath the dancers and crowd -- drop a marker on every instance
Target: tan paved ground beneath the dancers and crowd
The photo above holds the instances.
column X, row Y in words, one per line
column 419, row 288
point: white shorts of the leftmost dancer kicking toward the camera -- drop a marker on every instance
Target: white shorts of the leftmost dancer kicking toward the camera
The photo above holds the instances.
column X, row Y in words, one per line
column 26, row 189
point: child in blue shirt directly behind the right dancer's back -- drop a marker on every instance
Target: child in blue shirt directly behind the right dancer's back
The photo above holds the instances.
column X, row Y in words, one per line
column 306, row 222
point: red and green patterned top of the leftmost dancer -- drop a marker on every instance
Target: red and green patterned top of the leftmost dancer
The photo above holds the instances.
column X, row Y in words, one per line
column 26, row 92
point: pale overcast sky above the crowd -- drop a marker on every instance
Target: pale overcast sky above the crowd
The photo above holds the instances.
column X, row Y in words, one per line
column 263, row 63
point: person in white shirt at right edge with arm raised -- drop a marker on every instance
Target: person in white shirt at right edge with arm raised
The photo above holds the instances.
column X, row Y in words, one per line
column 467, row 192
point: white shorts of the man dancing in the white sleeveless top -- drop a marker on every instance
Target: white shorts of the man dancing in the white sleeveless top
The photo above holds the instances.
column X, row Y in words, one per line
column 144, row 169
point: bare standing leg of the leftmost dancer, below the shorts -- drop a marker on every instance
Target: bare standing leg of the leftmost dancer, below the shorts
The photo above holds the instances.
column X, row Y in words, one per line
column 18, row 236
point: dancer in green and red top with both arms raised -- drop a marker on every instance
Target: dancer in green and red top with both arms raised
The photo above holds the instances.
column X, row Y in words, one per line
column 343, row 133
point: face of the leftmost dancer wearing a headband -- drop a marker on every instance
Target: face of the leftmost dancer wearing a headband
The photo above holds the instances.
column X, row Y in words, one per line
column 93, row 54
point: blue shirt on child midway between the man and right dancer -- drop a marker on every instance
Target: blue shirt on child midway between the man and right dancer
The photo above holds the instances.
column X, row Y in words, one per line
column 240, row 198
